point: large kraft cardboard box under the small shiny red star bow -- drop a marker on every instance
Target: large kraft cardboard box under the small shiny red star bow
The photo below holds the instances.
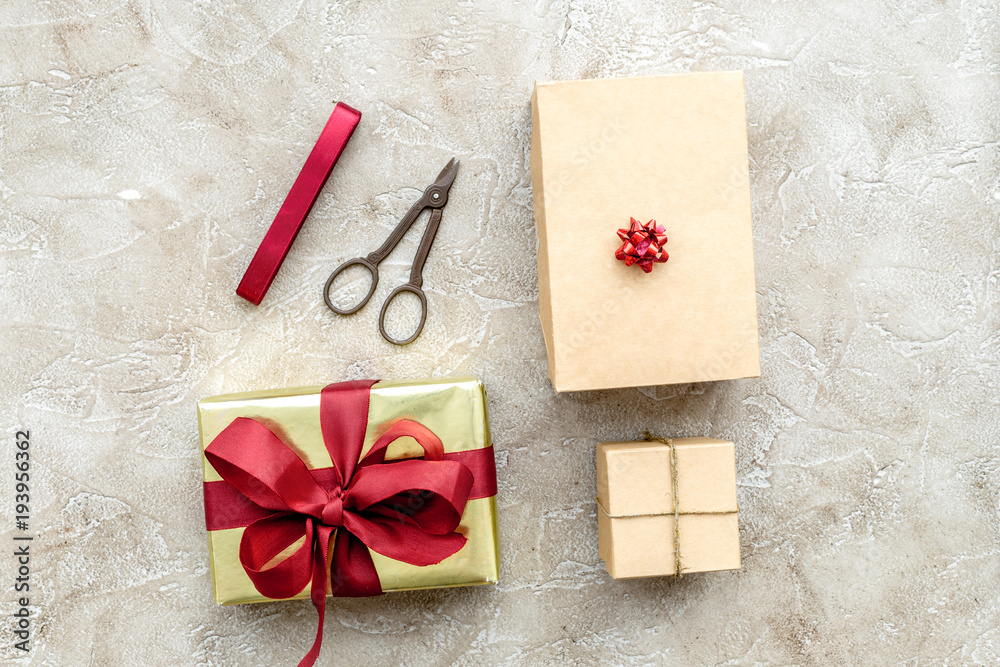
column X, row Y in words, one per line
column 669, row 148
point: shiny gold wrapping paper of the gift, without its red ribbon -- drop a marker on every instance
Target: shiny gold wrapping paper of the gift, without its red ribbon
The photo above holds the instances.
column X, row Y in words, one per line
column 454, row 408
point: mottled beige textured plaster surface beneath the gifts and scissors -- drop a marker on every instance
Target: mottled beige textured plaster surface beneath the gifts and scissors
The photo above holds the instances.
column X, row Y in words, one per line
column 145, row 146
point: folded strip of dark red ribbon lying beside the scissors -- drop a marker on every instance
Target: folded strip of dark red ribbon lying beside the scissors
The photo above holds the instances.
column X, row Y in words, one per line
column 278, row 240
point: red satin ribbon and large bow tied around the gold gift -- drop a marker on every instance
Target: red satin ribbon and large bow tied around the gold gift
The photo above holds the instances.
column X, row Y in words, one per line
column 407, row 509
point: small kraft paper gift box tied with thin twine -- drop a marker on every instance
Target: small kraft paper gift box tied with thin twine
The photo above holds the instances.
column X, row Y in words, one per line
column 667, row 507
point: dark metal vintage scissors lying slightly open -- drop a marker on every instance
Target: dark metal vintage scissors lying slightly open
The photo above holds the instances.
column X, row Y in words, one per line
column 434, row 198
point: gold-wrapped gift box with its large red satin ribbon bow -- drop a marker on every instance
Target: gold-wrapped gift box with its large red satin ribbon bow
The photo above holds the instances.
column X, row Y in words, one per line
column 350, row 489
